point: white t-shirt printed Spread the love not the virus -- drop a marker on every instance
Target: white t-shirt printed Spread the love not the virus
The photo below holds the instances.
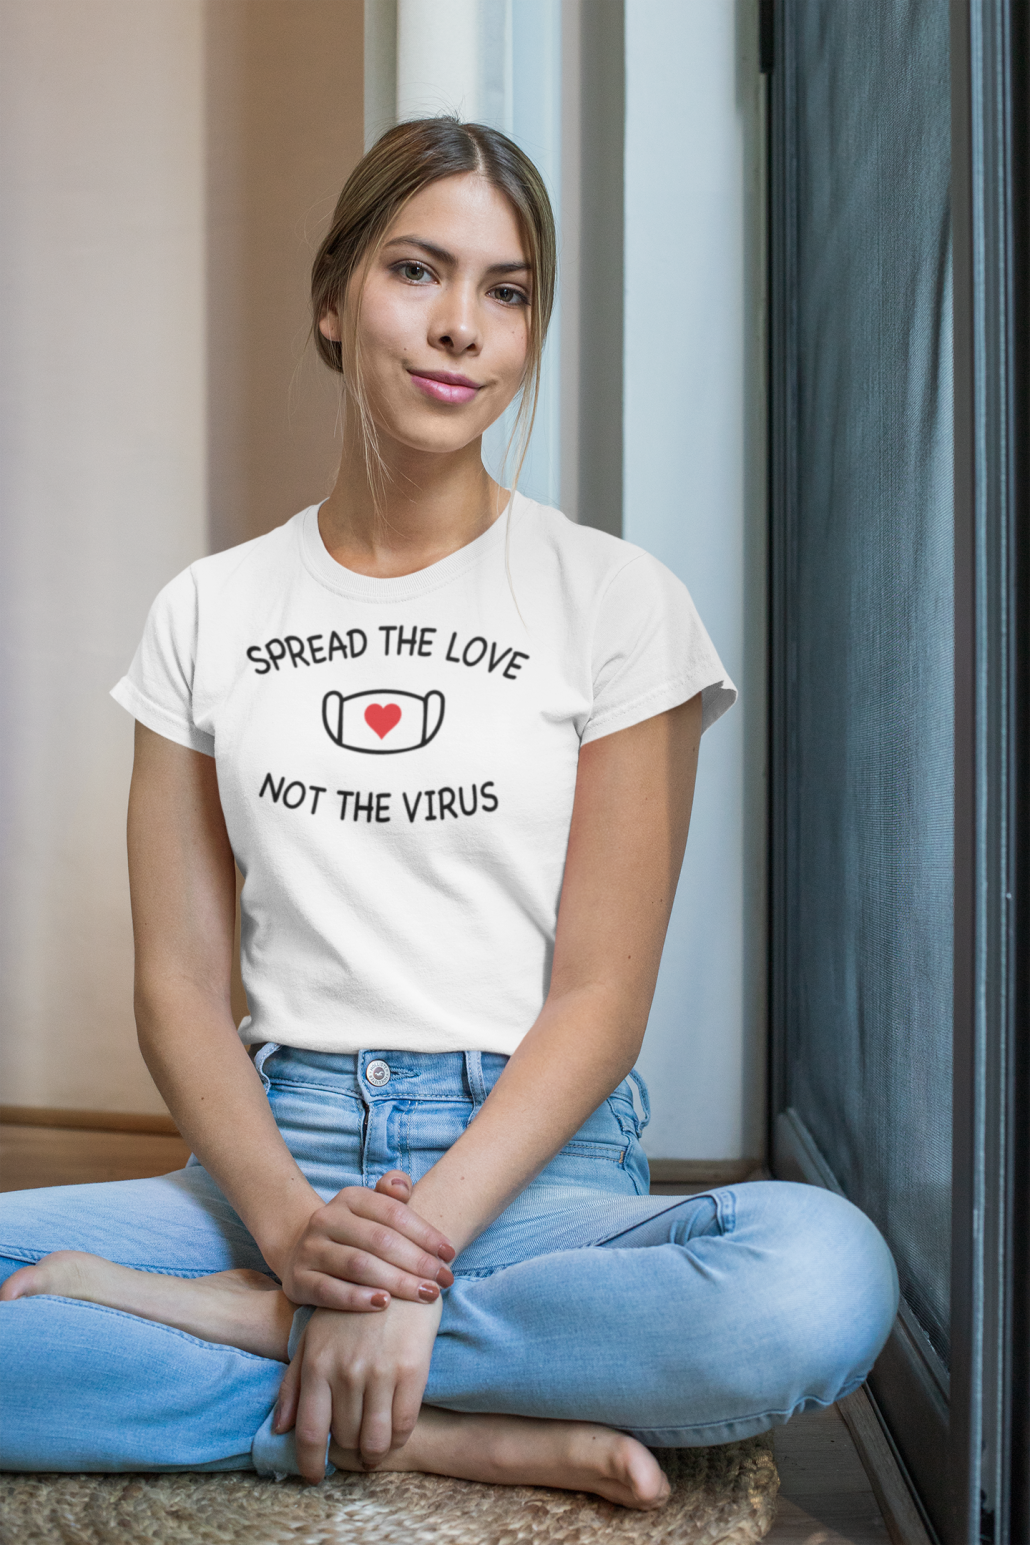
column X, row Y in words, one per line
column 398, row 761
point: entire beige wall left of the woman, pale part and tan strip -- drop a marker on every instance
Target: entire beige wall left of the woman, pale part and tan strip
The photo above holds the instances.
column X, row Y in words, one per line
column 164, row 166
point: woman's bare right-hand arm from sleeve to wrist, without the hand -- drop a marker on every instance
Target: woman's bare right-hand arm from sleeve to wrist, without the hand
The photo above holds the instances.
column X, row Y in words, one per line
column 629, row 830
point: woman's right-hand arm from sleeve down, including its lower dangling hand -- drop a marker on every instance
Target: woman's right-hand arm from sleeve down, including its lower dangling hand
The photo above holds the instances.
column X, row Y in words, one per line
column 364, row 1380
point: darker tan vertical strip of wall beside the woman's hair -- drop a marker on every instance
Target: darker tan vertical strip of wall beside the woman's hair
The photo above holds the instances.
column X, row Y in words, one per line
column 285, row 126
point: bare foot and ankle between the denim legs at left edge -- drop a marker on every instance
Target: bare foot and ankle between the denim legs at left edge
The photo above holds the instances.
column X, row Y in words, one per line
column 240, row 1309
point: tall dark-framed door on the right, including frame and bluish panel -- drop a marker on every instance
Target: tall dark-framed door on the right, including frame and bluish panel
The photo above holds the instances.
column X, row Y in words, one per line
column 896, row 810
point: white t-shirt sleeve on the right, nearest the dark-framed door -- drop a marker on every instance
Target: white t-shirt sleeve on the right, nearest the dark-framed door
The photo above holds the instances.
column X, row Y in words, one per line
column 651, row 653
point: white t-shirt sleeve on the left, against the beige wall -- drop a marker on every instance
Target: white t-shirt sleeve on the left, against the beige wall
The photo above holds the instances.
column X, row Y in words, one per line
column 158, row 687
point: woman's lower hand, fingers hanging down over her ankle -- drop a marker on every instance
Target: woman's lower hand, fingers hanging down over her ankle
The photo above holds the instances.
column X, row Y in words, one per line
column 361, row 1379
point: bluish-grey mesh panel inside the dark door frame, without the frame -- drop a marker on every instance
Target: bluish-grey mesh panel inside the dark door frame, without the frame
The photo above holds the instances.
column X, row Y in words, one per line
column 867, row 623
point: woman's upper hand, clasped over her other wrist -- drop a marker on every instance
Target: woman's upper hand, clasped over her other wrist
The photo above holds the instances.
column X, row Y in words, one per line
column 365, row 1248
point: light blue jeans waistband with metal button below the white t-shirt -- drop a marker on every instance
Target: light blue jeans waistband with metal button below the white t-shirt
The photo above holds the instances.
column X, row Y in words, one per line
column 413, row 1076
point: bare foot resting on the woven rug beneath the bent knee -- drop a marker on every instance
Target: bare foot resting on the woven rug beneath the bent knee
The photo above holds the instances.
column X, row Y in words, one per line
column 527, row 1452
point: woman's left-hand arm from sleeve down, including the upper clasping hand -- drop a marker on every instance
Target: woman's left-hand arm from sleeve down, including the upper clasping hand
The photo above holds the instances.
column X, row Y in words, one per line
column 183, row 886
